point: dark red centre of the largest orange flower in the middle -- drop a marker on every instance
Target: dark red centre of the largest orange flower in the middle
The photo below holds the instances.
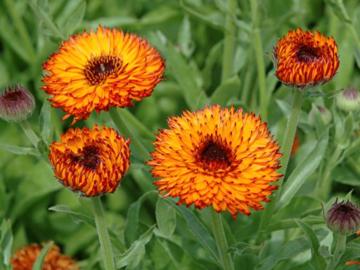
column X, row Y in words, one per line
column 214, row 155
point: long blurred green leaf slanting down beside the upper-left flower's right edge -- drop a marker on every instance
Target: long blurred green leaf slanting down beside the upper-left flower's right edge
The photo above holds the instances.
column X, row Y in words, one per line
column 194, row 96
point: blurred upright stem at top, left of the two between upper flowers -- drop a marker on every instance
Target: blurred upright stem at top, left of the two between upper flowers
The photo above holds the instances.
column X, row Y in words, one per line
column 229, row 41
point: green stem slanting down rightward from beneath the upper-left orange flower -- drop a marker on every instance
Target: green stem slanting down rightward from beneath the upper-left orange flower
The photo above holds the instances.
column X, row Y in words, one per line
column 140, row 150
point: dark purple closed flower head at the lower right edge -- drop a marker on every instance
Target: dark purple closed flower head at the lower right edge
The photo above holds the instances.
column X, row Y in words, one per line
column 343, row 217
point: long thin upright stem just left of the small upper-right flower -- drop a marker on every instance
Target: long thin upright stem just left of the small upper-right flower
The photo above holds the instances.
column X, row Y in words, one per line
column 259, row 54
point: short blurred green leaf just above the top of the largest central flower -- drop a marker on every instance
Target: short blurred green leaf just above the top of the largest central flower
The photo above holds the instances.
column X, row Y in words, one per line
column 226, row 90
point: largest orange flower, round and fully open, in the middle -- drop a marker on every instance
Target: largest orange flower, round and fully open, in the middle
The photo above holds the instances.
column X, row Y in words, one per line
column 217, row 157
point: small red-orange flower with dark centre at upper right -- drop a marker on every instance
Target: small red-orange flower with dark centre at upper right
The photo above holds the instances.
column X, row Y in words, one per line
column 305, row 58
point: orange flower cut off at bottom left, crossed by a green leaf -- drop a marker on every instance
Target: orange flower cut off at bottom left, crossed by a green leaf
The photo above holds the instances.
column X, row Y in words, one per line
column 54, row 260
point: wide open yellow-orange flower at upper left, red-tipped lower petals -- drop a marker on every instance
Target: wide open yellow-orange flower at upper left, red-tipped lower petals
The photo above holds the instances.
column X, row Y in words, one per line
column 98, row 70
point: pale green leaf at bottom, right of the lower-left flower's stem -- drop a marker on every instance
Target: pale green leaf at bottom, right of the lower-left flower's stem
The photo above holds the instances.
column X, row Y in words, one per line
column 135, row 254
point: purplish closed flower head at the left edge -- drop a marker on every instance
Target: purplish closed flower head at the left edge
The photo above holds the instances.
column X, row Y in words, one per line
column 16, row 103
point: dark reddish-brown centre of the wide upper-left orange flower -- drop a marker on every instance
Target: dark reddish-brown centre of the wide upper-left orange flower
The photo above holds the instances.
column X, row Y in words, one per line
column 99, row 68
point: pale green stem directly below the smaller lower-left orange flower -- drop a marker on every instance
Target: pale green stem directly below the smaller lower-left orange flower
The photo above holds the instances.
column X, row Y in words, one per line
column 104, row 239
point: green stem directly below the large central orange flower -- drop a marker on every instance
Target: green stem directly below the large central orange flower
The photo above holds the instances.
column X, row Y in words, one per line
column 221, row 242
